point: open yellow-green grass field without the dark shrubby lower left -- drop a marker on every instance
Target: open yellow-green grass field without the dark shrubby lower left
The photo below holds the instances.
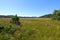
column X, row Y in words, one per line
column 45, row 28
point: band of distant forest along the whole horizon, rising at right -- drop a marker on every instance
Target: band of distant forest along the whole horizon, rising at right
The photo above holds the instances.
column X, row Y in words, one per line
column 55, row 14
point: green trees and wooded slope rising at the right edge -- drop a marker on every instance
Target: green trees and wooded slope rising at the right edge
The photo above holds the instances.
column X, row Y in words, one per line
column 55, row 15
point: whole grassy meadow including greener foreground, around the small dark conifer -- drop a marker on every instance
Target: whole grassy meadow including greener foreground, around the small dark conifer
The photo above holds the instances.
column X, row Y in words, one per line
column 32, row 29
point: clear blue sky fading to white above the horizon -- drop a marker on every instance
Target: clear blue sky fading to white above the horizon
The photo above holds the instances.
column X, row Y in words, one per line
column 28, row 7
